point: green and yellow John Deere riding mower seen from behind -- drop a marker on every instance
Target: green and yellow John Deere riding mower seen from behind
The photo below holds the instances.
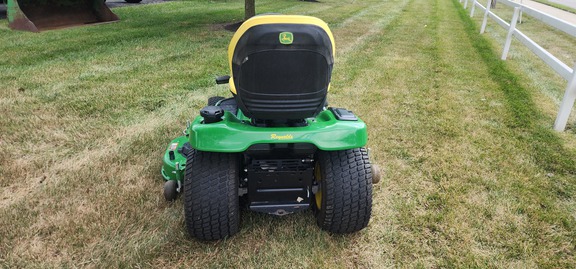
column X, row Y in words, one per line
column 275, row 146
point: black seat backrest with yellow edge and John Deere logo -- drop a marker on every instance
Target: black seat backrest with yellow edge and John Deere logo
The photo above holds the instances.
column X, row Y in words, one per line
column 281, row 66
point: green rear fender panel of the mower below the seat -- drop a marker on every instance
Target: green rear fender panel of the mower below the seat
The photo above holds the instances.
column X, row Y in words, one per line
column 236, row 134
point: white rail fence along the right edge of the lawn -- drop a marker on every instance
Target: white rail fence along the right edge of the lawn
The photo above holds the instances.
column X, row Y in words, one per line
column 561, row 68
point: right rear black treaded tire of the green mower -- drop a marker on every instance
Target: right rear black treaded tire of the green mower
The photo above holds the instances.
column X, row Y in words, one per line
column 344, row 202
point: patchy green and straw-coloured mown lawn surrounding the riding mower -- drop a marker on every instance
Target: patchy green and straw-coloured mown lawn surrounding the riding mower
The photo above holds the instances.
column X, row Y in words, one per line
column 473, row 174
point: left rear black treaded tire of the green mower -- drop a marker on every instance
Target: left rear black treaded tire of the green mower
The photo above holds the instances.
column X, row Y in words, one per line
column 211, row 203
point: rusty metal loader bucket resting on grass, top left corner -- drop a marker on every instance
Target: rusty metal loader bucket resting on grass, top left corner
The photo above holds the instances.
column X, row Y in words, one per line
column 40, row 15
